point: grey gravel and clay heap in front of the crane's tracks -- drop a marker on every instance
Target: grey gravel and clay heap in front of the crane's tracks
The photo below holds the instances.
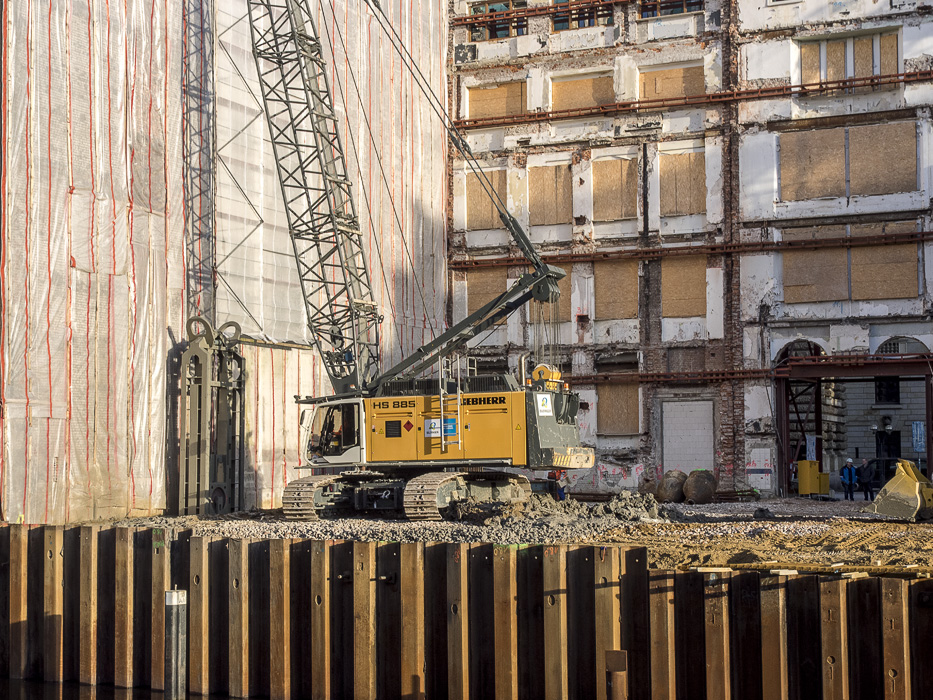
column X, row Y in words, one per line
column 540, row 520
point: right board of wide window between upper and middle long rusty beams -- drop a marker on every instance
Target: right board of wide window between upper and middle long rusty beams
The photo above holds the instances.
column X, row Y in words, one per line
column 883, row 158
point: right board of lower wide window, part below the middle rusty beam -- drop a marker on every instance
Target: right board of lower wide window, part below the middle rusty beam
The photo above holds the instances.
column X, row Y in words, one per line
column 885, row 272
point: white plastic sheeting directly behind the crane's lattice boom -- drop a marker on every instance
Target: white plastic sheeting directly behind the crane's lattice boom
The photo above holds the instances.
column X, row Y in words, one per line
column 403, row 217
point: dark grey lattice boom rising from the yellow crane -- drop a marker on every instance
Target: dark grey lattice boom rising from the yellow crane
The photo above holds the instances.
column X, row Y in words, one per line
column 322, row 220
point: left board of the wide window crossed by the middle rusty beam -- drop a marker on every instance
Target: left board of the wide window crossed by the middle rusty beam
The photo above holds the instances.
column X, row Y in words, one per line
column 815, row 275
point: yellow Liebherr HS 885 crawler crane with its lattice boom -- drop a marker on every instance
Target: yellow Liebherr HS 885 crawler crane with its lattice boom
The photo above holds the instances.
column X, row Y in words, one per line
column 394, row 439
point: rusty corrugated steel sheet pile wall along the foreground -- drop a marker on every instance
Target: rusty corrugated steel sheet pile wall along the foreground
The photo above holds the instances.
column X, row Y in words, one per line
column 303, row 618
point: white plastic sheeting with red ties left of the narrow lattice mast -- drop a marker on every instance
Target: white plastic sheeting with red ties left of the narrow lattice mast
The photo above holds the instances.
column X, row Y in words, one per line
column 92, row 266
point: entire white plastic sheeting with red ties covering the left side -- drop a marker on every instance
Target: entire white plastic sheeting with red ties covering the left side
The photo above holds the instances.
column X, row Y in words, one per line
column 94, row 267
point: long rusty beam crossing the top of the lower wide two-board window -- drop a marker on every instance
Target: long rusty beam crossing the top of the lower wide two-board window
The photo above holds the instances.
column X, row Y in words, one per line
column 712, row 249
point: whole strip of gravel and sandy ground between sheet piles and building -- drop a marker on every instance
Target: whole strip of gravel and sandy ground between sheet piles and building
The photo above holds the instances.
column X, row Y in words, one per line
column 769, row 532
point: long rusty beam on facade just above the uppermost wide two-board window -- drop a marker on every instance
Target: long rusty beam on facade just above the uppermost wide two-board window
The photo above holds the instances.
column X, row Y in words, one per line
column 710, row 98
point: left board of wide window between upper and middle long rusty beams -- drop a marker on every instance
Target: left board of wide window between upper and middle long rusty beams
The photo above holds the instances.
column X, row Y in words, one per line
column 813, row 164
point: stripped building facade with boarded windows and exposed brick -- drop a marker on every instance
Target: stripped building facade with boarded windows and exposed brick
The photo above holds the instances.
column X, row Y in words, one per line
column 740, row 193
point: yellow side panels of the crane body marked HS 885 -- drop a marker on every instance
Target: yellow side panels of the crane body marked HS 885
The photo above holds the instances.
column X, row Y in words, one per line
column 410, row 428
